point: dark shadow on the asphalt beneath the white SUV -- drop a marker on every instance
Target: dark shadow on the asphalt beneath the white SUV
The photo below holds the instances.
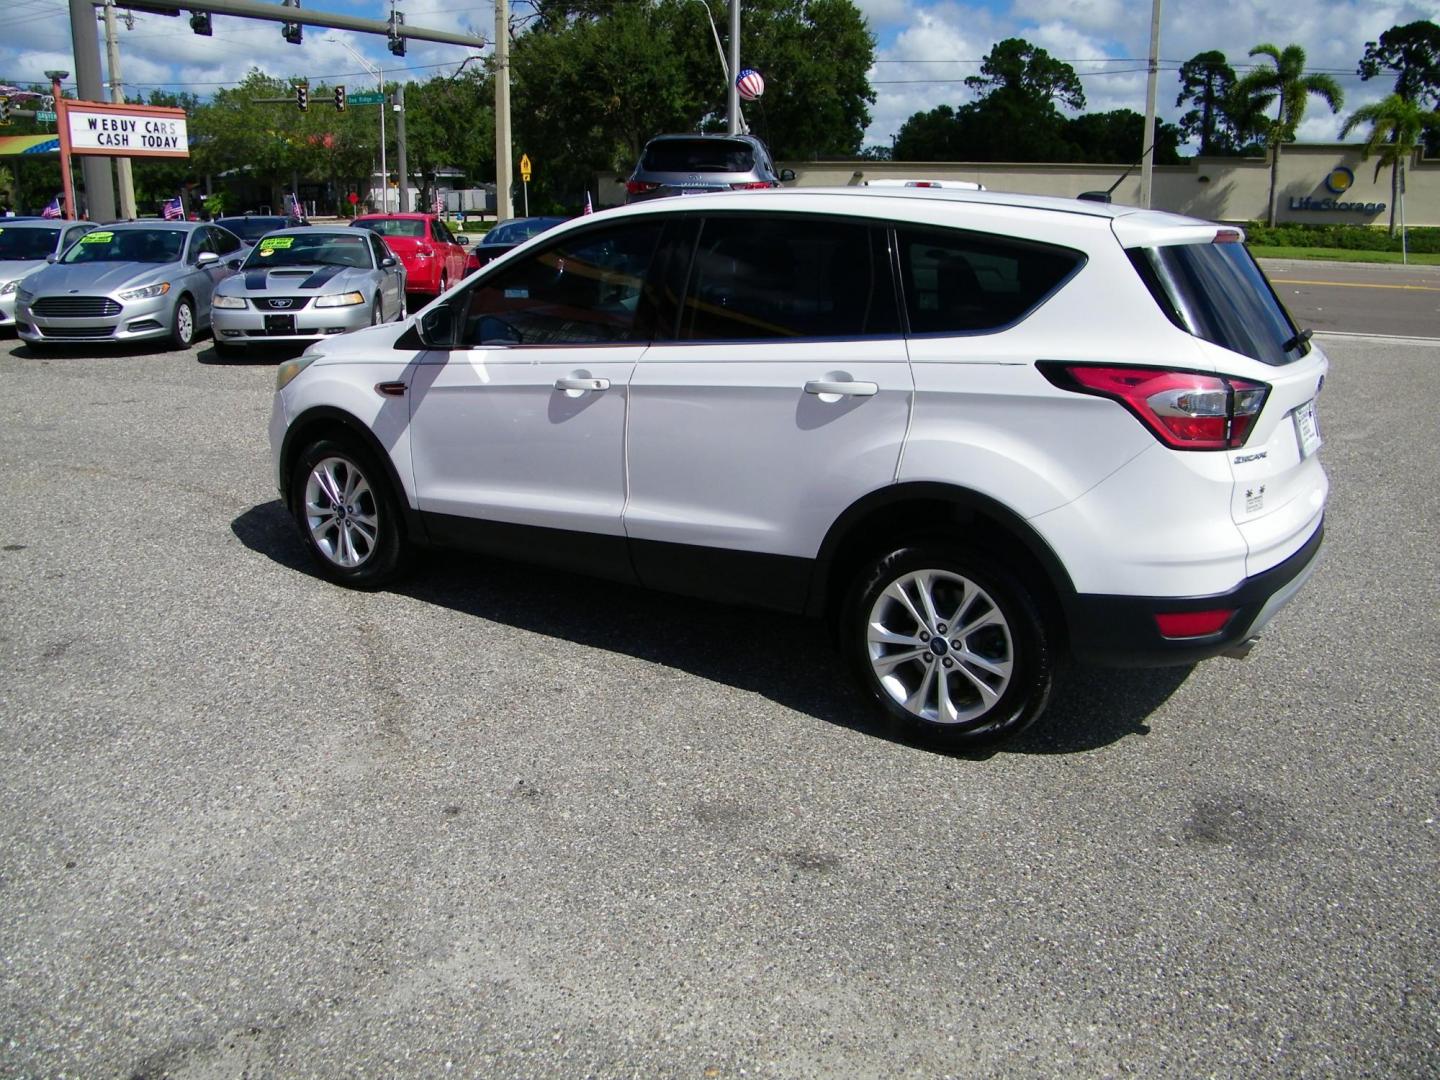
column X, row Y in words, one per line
column 786, row 659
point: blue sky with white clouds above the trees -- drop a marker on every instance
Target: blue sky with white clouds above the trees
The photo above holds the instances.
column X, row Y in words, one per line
column 924, row 48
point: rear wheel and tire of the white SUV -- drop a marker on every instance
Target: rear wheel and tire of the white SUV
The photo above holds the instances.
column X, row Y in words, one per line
column 955, row 686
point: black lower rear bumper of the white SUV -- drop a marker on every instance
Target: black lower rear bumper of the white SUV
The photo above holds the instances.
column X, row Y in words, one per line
column 1121, row 631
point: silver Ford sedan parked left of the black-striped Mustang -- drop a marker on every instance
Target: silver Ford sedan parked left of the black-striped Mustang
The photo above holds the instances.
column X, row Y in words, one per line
column 127, row 283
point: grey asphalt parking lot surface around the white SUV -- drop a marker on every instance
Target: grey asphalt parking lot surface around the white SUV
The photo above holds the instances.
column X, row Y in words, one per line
column 508, row 823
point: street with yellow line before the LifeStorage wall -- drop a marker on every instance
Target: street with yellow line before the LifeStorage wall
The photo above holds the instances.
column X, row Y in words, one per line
column 1360, row 299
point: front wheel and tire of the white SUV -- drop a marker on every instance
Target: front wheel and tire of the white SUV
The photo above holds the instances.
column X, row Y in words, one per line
column 348, row 513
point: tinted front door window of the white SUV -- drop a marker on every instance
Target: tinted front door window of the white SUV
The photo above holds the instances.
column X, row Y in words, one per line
column 582, row 290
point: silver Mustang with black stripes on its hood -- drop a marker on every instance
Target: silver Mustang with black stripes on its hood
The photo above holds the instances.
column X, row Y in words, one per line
column 307, row 284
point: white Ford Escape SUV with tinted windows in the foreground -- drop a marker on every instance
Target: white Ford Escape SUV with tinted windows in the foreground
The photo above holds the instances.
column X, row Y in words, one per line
column 977, row 431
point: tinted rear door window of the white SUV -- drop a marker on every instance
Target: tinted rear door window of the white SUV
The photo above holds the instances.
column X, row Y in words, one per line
column 777, row 277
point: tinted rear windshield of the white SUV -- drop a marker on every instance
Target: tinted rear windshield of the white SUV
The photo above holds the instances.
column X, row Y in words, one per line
column 1219, row 293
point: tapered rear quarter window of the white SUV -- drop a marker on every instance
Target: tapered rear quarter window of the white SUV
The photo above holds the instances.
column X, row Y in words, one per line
column 963, row 282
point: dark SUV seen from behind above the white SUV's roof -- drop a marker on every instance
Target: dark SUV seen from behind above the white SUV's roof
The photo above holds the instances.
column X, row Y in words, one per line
column 693, row 165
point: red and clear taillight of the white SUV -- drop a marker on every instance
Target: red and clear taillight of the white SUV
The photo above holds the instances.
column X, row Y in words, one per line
column 1184, row 410
